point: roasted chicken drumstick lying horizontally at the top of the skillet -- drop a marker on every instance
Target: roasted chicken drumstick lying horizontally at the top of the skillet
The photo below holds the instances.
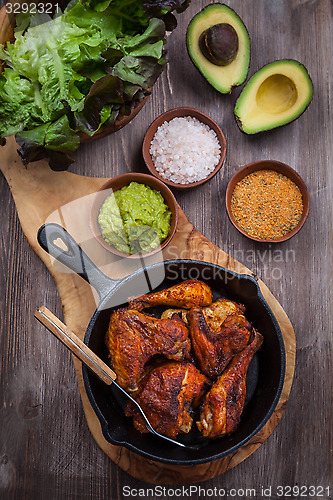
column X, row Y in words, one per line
column 185, row 295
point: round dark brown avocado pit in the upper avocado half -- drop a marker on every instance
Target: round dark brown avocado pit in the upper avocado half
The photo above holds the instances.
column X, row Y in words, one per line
column 219, row 44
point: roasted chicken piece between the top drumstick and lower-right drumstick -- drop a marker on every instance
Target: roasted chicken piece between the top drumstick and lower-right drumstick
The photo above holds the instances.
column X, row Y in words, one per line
column 214, row 344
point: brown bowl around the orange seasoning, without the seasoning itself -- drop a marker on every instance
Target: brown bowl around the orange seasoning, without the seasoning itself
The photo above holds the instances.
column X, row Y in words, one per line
column 283, row 169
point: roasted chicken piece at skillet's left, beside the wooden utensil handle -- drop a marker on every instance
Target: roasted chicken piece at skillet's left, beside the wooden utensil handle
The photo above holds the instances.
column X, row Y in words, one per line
column 133, row 338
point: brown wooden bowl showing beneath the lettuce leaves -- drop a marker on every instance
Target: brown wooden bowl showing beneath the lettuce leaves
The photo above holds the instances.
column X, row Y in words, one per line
column 7, row 23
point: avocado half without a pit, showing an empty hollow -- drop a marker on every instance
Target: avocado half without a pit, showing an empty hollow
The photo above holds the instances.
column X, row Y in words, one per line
column 274, row 96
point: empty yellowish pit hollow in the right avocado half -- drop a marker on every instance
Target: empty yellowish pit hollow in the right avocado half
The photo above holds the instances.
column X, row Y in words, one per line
column 276, row 94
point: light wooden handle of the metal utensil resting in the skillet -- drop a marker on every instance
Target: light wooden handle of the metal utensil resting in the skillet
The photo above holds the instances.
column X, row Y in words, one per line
column 75, row 345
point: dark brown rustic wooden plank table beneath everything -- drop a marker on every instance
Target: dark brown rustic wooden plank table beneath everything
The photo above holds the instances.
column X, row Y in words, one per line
column 46, row 449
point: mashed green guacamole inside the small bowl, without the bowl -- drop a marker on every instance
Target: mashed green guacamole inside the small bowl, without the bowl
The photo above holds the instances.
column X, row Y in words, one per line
column 135, row 219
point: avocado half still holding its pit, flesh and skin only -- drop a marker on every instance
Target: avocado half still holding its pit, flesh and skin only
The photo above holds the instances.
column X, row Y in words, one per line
column 222, row 78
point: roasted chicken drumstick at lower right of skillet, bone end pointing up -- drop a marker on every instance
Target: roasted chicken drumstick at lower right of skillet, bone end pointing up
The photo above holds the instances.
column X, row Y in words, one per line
column 224, row 403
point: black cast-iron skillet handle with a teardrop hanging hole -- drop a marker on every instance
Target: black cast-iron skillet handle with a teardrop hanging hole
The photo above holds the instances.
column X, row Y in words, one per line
column 73, row 257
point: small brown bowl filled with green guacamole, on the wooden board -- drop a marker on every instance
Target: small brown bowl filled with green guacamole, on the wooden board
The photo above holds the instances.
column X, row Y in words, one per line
column 134, row 215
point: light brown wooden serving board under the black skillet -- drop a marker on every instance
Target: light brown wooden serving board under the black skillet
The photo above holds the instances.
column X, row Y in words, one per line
column 43, row 195
